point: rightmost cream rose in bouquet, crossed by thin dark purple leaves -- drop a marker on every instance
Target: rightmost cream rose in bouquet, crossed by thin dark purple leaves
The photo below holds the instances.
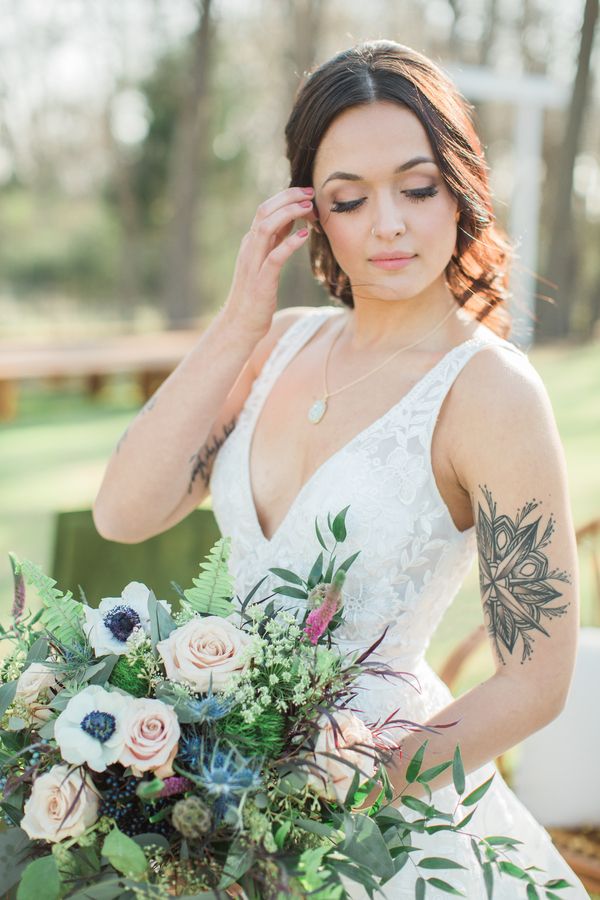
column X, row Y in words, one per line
column 335, row 781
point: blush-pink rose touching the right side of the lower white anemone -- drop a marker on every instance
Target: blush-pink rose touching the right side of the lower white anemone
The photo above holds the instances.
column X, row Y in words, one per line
column 151, row 732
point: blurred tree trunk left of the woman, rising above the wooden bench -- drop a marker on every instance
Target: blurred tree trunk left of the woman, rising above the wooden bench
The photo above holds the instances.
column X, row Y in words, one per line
column 189, row 158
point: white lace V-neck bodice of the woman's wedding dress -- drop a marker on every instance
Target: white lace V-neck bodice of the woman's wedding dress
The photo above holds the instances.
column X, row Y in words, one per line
column 413, row 559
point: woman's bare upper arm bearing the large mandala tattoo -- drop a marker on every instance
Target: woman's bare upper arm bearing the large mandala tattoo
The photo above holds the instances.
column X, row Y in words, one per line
column 511, row 461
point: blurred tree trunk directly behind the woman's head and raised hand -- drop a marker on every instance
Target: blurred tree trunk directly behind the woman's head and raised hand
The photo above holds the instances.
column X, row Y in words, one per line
column 305, row 24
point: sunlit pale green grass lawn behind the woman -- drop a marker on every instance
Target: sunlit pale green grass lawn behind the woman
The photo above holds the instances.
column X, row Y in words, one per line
column 53, row 455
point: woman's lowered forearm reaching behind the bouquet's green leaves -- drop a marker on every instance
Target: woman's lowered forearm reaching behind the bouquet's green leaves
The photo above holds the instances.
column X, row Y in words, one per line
column 491, row 718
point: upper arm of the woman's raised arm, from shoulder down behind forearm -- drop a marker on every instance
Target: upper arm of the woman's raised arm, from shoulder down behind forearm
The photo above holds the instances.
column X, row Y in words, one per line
column 225, row 422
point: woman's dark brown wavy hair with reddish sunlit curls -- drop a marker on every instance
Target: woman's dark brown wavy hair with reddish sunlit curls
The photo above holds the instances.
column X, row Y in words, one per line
column 477, row 273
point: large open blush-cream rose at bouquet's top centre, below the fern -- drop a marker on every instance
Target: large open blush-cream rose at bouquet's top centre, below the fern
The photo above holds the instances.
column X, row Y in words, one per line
column 206, row 646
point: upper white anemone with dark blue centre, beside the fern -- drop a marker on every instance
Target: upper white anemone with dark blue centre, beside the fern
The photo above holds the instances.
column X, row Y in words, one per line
column 110, row 626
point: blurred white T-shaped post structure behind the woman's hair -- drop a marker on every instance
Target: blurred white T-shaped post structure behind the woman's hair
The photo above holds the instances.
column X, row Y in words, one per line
column 530, row 95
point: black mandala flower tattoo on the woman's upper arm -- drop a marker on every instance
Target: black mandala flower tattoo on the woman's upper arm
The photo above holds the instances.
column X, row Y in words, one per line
column 515, row 578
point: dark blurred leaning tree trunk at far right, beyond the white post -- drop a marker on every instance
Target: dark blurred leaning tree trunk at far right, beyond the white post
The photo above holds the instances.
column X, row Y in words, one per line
column 561, row 262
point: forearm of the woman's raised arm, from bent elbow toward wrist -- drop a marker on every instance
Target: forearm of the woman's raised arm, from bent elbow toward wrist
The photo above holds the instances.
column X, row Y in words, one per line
column 164, row 453
